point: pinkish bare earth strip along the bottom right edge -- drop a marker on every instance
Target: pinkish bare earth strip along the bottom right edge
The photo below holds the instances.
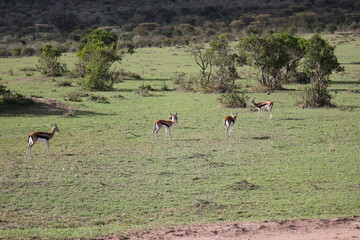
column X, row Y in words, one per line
column 314, row 229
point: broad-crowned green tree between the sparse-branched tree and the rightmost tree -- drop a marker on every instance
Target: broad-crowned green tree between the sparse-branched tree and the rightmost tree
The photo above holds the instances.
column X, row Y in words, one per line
column 276, row 56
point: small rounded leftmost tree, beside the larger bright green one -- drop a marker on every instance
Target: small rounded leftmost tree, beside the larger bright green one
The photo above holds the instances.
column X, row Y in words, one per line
column 49, row 61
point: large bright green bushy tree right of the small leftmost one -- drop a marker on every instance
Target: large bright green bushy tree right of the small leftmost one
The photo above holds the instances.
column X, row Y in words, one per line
column 97, row 53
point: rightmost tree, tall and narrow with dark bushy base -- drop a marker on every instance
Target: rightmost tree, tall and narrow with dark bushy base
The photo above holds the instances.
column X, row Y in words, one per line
column 319, row 62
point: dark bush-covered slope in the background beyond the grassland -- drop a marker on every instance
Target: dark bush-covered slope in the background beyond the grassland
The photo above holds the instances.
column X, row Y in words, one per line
column 27, row 26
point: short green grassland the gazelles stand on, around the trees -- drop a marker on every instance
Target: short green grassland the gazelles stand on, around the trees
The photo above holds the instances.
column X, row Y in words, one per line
column 105, row 175
